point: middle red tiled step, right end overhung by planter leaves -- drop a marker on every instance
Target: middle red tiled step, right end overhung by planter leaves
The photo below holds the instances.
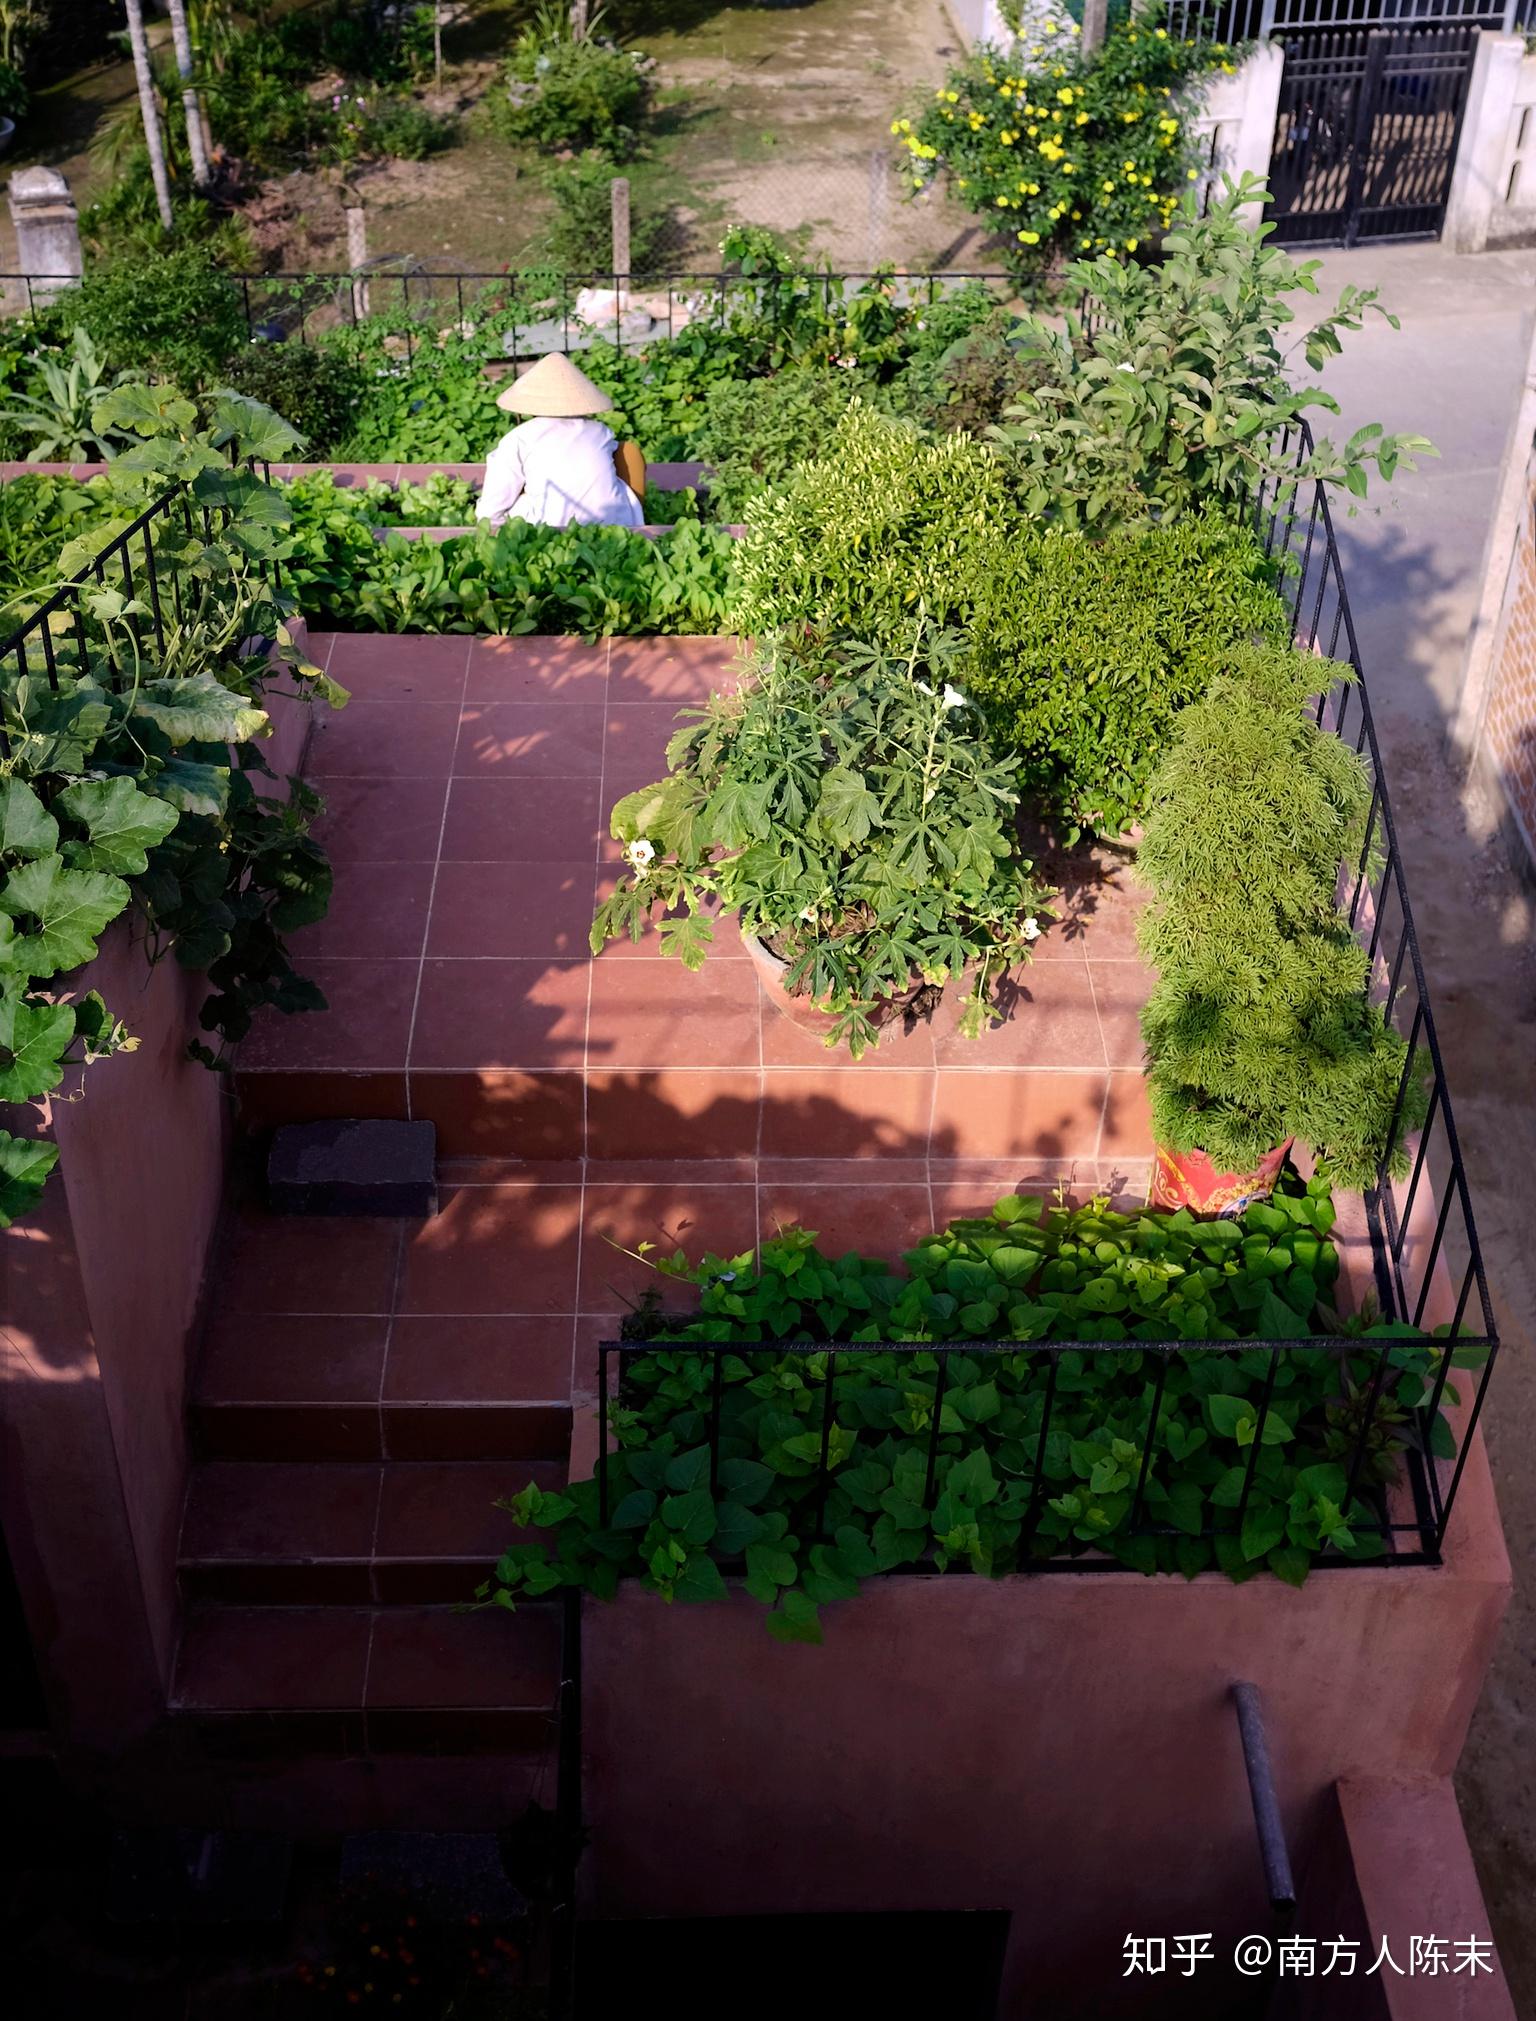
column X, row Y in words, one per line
column 349, row 1535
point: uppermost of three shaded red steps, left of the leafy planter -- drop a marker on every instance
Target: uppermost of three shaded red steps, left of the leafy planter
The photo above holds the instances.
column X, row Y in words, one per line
column 367, row 1387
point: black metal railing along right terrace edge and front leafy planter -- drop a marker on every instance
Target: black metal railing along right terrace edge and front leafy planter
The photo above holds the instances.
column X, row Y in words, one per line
column 1424, row 1246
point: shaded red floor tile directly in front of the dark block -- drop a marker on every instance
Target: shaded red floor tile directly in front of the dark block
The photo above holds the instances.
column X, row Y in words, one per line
column 324, row 1266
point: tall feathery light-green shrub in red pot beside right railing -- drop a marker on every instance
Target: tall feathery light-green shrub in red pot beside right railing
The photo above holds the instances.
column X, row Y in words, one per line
column 1260, row 1028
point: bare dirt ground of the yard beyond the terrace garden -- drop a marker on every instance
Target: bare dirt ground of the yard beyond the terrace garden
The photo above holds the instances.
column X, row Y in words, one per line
column 775, row 112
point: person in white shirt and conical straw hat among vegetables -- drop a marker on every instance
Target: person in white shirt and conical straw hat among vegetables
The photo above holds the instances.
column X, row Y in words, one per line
column 561, row 466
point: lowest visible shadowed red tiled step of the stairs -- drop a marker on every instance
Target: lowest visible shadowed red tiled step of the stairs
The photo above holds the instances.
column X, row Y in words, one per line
column 361, row 1680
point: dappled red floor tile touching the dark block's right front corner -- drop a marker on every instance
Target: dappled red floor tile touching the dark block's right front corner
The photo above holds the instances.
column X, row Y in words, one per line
column 496, row 1250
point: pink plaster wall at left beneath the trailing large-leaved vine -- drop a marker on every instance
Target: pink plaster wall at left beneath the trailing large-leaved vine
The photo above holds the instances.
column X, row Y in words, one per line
column 98, row 1298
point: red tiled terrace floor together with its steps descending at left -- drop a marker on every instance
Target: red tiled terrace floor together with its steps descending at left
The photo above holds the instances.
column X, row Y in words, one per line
column 369, row 1389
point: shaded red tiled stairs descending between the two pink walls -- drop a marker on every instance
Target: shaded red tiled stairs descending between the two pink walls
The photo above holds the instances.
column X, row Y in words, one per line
column 343, row 1509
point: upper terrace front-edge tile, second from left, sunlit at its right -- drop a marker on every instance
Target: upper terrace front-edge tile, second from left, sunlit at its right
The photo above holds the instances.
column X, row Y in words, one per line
column 486, row 1016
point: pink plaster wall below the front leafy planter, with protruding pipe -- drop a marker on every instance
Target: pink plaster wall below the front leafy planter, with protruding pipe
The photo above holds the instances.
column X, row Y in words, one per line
column 1060, row 1747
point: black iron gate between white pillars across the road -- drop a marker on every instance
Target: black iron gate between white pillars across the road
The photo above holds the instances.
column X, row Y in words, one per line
column 1365, row 142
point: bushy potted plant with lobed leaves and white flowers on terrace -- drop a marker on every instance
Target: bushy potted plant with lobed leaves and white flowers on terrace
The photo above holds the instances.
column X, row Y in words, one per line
column 856, row 822
